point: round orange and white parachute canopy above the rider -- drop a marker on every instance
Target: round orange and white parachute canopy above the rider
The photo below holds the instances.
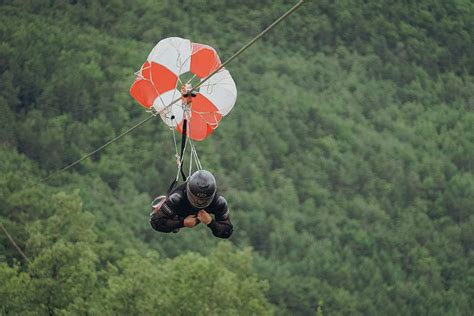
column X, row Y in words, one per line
column 173, row 63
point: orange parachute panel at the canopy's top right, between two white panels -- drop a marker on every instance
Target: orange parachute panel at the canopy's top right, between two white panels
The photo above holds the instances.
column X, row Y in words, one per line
column 204, row 60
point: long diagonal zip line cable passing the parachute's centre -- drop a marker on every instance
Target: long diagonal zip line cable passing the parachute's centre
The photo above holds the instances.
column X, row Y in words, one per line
column 240, row 51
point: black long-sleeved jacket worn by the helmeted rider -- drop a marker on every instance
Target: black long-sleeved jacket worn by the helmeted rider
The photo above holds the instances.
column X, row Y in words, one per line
column 170, row 217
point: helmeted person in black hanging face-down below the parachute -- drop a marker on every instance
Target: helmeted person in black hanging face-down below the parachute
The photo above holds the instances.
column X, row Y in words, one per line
column 192, row 203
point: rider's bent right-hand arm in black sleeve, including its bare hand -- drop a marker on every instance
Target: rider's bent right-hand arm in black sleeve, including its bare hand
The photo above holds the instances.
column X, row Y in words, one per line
column 221, row 226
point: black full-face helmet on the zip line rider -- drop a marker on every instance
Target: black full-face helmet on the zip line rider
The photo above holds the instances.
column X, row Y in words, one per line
column 201, row 188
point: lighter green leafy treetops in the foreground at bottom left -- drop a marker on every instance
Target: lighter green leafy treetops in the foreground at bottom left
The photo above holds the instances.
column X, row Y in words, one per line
column 69, row 274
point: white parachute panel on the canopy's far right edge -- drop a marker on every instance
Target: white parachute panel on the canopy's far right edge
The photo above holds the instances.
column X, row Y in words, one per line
column 221, row 91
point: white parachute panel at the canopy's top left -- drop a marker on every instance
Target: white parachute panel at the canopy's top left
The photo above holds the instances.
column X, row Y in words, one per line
column 173, row 53
